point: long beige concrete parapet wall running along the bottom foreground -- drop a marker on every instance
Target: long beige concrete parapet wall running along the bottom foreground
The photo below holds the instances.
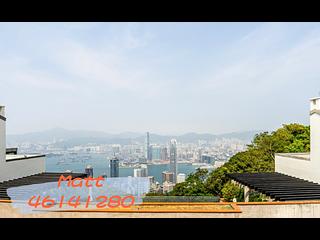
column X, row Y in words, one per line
column 248, row 211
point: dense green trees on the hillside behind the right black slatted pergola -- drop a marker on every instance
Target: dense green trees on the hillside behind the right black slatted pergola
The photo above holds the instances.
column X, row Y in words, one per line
column 259, row 157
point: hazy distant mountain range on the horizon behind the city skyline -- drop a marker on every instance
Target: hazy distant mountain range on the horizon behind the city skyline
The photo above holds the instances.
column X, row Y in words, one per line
column 69, row 138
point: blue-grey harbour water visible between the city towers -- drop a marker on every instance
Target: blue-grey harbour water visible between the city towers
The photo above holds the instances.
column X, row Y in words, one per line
column 100, row 163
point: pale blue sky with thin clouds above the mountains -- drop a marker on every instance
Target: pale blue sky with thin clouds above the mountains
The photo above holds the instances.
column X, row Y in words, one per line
column 166, row 78
